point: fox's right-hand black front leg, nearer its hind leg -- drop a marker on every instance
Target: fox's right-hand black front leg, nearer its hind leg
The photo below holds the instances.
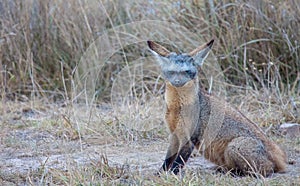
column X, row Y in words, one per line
column 182, row 157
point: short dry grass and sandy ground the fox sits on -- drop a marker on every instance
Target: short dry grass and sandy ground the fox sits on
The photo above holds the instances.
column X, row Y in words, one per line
column 78, row 146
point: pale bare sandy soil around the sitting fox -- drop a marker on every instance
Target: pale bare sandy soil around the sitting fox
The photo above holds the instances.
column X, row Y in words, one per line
column 28, row 146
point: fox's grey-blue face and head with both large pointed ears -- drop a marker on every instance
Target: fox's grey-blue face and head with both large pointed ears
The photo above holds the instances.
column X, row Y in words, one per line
column 178, row 69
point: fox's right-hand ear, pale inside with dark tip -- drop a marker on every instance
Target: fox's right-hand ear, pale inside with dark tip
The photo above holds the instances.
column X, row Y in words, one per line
column 200, row 53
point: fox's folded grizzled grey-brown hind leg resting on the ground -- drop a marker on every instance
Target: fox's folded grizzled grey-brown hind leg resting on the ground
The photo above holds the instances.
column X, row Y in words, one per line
column 248, row 155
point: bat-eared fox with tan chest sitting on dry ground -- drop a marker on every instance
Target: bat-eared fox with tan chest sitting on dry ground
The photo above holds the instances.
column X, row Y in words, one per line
column 198, row 120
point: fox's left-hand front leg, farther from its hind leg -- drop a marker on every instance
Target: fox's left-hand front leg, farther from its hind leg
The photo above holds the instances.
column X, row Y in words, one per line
column 171, row 153
